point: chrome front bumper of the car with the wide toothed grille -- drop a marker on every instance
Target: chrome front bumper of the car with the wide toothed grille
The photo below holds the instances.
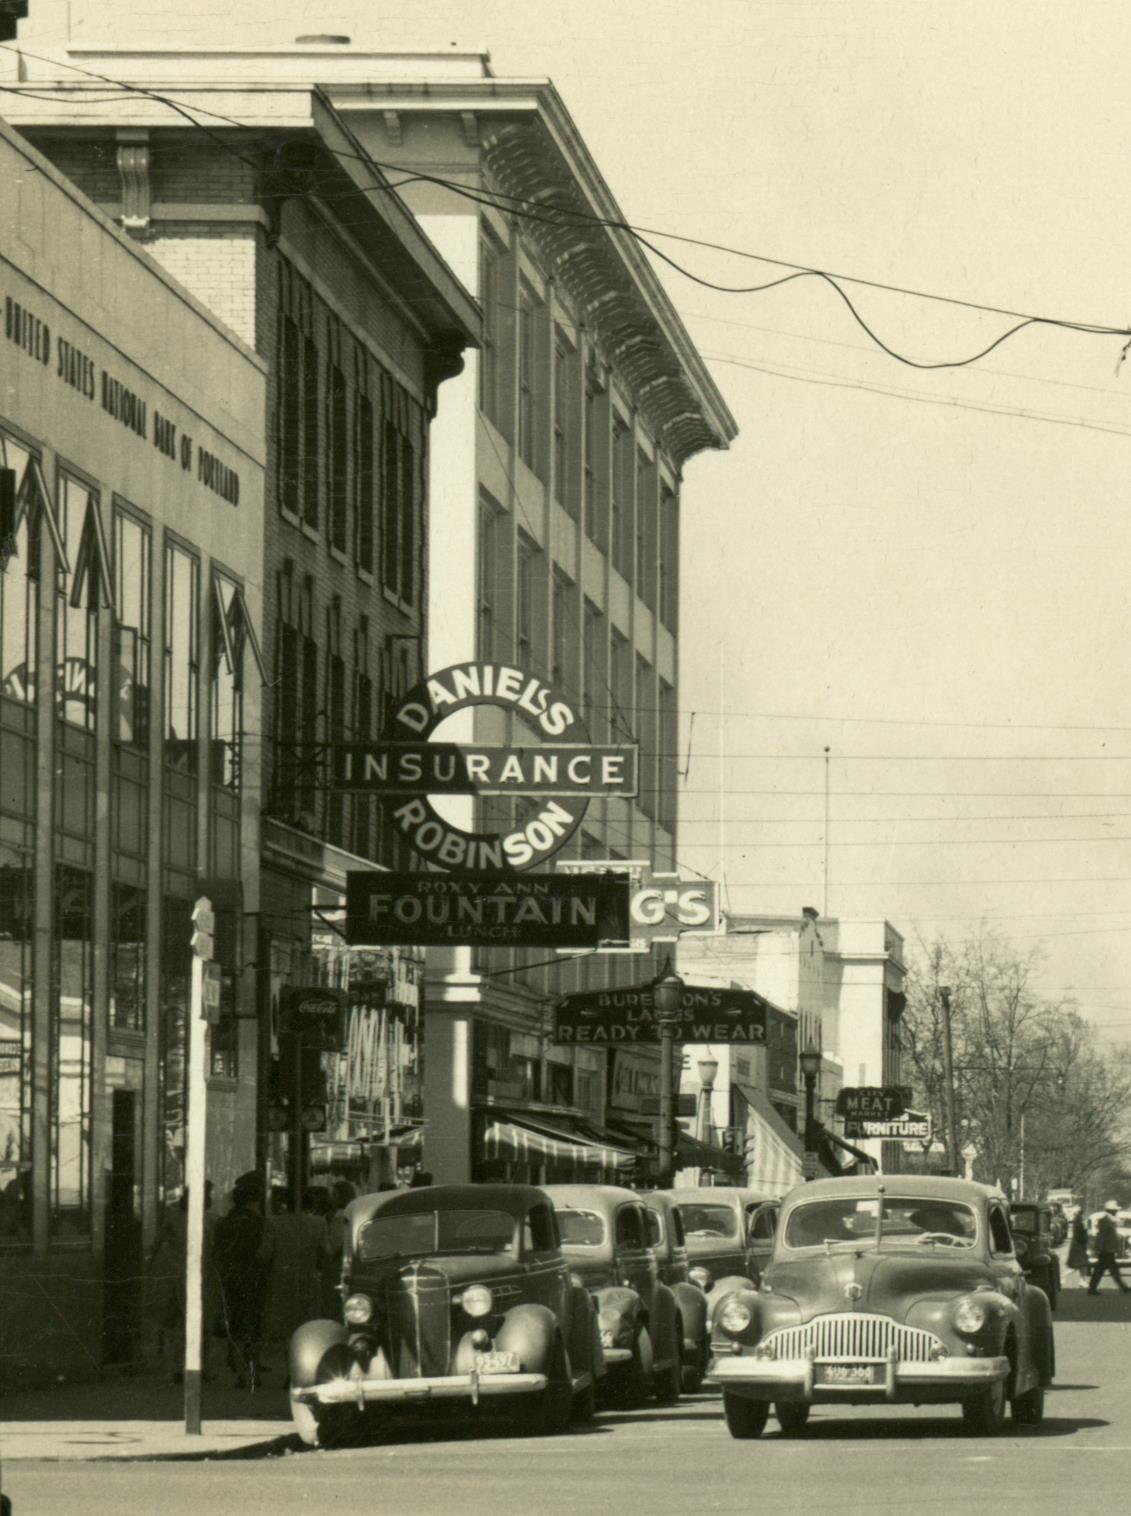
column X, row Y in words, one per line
column 897, row 1380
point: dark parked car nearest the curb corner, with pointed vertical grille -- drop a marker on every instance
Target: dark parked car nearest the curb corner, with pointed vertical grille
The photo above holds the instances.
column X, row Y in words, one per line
column 457, row 1294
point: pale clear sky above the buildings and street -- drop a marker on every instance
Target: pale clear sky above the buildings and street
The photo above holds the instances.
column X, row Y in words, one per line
column 920, row 571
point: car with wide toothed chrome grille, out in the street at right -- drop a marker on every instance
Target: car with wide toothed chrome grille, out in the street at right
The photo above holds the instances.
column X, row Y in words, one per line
column 886, row 1289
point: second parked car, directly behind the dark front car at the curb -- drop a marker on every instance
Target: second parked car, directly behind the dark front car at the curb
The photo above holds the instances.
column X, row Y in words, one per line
column 606, row 1239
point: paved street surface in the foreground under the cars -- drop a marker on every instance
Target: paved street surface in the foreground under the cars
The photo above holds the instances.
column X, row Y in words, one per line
column 671, row 1461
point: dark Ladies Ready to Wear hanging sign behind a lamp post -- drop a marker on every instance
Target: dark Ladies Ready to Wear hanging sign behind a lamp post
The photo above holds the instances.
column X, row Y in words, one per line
column 628, row 1016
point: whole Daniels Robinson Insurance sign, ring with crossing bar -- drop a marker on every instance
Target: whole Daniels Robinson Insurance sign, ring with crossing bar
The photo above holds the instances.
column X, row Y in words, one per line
column 565, row 769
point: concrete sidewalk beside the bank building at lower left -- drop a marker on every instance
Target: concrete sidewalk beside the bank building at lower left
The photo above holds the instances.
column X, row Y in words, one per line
column 142, row 1418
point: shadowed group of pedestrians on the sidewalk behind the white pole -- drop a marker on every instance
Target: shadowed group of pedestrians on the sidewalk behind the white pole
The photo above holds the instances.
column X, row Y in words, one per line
column 263, row 1274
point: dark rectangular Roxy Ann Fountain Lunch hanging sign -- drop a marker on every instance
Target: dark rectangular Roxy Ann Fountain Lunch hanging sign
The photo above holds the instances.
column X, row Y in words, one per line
column 497, row 909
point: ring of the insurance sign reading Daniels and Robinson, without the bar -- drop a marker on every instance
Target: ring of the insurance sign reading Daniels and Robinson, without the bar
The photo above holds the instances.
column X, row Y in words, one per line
column 554, row 819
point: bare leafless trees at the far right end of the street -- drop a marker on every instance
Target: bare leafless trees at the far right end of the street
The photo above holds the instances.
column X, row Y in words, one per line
column 1036, row 1098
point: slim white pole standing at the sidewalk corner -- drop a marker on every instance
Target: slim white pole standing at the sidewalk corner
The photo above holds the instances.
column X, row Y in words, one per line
column 204, row 992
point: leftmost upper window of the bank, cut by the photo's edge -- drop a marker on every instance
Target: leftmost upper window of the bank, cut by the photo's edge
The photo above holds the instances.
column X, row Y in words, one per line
column 19, row 574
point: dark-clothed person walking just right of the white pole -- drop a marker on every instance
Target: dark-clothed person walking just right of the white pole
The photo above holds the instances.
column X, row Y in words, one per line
column 243, row 1256
